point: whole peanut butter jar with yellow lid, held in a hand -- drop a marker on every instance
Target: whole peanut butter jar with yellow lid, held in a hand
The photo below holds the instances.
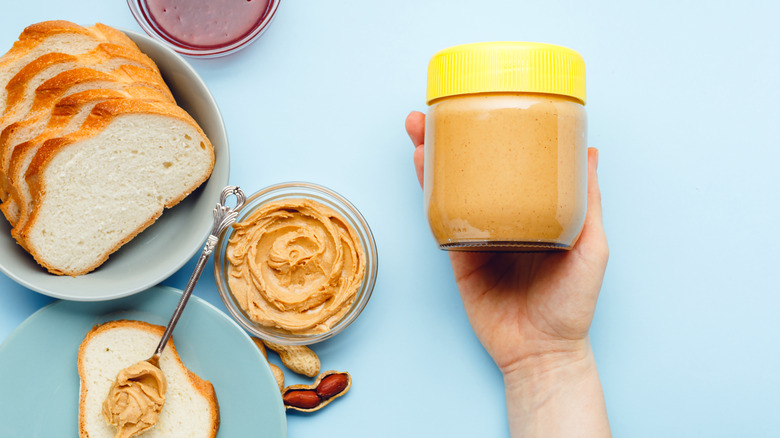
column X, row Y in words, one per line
column 505, row 147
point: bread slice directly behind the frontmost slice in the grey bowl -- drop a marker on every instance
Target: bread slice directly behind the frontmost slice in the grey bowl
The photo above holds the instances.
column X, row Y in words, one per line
column 66, row 117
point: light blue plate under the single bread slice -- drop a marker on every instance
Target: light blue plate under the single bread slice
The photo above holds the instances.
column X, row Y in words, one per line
column 39, row 382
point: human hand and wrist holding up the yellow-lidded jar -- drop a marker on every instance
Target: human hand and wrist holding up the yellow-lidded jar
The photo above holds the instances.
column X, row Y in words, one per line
column 532, row 313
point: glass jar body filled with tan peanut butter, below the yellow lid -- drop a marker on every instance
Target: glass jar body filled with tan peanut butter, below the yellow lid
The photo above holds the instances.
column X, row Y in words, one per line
column 506, row 170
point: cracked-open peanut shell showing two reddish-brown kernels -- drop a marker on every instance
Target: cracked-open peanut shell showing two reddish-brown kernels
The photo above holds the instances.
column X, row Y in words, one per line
column 329, row 386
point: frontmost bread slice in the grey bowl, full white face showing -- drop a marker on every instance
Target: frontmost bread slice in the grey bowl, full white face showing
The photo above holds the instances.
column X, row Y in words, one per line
column 98, row 187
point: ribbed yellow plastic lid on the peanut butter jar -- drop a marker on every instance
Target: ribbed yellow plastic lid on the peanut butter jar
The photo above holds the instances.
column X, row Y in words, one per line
column 506, row 66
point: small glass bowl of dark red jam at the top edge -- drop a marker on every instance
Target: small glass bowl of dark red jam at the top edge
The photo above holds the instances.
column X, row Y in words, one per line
column 204, row 29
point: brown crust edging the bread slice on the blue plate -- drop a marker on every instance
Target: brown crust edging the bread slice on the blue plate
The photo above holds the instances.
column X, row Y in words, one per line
column 203, row 387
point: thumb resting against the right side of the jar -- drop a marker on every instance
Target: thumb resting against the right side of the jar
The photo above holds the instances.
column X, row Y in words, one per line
column 593, row 240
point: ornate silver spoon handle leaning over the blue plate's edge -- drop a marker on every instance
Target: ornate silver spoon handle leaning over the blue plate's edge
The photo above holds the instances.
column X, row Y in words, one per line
column 224, row 216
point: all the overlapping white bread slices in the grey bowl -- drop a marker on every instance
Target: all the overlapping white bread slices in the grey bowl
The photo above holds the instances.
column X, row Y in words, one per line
column 93, row 146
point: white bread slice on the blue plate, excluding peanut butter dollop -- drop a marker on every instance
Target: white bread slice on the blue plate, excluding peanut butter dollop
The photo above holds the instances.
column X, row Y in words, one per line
column 191, row 409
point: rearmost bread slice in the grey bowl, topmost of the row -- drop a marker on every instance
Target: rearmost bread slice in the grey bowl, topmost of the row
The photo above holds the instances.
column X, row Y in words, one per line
column 54, row 36
